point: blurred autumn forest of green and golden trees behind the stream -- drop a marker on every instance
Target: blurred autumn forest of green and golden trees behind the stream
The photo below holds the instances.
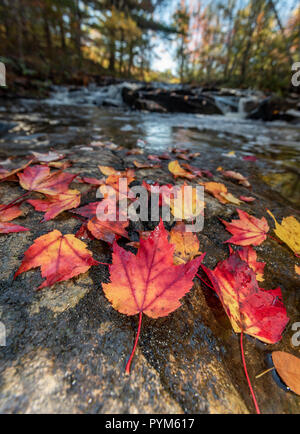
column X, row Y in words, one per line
column 232, row 43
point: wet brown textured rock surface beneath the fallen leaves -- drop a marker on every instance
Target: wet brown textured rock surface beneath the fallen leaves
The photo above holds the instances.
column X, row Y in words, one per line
column 67, row 347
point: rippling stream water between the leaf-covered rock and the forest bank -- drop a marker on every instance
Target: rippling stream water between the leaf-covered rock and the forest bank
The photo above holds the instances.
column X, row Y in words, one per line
column 69, row 118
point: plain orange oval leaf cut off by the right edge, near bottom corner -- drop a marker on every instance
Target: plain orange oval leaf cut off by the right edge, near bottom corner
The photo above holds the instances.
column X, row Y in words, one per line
column 288, row 368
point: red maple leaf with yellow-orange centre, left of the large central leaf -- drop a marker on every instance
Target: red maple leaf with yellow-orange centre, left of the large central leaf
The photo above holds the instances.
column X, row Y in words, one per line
column 60, row 257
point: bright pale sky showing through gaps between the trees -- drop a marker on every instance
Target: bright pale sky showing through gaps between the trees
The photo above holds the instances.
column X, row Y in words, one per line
column 164, row 51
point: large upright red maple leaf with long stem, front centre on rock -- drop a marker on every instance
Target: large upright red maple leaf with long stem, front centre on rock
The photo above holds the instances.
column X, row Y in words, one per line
column 149, row 282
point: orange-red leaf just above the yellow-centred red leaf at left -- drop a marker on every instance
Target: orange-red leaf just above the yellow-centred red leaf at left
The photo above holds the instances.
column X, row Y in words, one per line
column 56, row 204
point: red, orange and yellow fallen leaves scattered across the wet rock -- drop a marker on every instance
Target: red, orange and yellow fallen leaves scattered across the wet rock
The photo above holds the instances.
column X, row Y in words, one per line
column 154, row 280
